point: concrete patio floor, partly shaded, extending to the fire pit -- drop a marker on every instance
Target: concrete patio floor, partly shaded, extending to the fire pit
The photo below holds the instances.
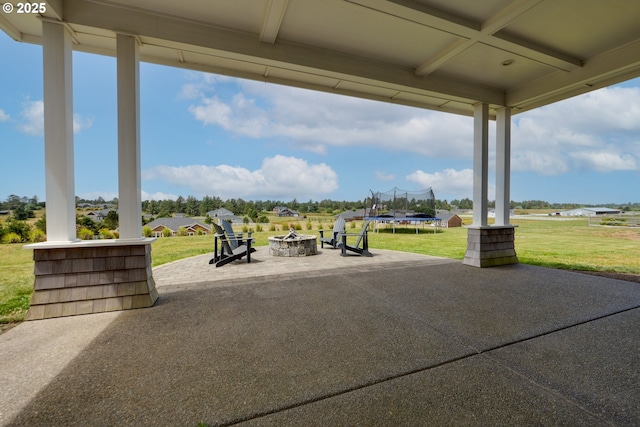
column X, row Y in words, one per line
column 396, row 339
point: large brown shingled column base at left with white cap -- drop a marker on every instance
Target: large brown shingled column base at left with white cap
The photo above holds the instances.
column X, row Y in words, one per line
column 91, row 278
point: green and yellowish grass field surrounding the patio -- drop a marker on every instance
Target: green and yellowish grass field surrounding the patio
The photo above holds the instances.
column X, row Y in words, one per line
column 559, row 244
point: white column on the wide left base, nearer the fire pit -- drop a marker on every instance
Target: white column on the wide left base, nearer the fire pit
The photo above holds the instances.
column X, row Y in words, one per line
column 129, row 182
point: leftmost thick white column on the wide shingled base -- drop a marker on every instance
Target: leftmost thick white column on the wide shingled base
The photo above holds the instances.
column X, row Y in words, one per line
column 58, row 132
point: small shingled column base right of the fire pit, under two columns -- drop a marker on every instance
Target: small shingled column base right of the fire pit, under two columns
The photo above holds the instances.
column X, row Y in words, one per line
column 490, row 246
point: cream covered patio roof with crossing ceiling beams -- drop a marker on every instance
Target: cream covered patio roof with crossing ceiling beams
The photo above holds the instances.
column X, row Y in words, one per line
column 435, row 54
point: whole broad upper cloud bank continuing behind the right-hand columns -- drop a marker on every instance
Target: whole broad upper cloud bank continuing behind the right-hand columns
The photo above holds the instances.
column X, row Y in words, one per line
column 551, row 140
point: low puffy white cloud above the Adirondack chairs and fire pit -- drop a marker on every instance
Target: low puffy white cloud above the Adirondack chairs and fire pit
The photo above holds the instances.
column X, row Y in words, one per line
column 278, row 177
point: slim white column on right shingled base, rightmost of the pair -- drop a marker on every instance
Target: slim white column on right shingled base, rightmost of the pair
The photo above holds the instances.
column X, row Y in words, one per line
column 503, row 165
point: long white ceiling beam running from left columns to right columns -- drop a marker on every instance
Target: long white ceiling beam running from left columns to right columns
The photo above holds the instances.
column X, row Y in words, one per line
column 223, row 42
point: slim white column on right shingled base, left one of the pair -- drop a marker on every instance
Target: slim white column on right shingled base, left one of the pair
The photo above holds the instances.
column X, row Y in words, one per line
column 480, row 164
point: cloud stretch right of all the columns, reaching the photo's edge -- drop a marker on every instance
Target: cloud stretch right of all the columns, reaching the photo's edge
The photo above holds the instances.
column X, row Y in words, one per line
column 596, row 132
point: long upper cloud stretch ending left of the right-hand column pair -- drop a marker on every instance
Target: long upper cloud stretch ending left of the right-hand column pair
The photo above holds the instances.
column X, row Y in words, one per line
column 316, row 121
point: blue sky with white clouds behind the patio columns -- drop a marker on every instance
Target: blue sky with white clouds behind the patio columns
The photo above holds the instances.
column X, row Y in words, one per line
column 203, row 134
